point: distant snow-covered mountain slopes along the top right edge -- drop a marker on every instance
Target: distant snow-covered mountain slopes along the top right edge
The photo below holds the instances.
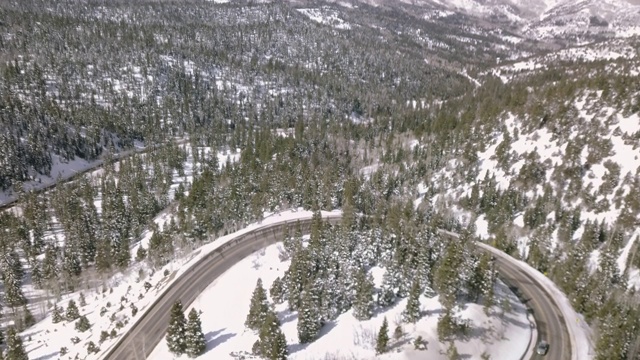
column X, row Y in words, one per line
column 538, row 19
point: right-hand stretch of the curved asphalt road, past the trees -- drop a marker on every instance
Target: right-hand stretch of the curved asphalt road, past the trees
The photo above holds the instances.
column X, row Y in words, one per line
column 549, row 320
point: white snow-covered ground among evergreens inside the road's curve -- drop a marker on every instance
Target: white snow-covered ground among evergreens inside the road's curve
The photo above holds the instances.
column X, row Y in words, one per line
column 225, row 304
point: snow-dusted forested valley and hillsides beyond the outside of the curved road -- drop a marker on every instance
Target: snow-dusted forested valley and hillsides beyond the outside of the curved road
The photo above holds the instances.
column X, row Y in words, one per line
column 510, row 122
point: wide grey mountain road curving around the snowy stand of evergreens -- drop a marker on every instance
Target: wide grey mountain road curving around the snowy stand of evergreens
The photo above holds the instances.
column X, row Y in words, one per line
column 150, row 328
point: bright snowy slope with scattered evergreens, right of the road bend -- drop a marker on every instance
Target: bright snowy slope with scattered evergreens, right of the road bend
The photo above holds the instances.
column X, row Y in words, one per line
column 564, row 146
